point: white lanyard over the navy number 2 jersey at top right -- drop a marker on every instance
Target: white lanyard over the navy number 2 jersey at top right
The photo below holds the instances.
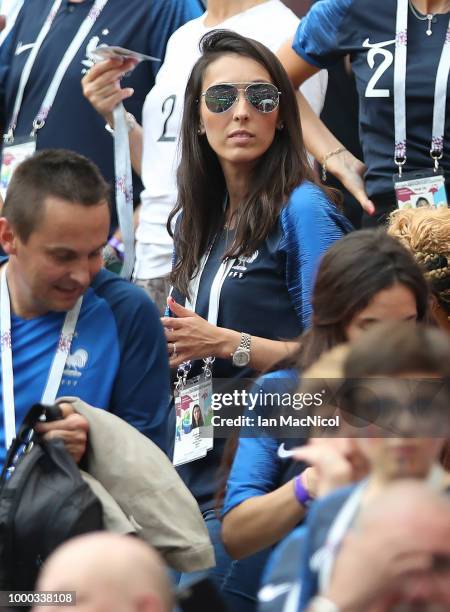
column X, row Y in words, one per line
column 440, row 92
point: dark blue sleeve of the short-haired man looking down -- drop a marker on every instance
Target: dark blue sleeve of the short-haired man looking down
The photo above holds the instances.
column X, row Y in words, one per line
column 141, row 391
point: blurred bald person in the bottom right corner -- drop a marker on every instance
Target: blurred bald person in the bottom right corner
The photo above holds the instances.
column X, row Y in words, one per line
column 396, row 558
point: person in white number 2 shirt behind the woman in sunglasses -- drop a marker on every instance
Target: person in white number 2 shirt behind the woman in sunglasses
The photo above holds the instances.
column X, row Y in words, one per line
column 154, row 146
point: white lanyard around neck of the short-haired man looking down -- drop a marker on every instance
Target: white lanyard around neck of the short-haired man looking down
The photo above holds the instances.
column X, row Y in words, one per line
column 57, row 367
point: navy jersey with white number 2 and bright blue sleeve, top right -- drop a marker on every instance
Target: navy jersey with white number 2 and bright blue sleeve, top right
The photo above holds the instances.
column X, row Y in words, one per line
column 365, row 29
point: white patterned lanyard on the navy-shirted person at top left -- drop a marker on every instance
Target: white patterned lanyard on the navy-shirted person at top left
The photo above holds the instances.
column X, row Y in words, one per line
column 70, row 53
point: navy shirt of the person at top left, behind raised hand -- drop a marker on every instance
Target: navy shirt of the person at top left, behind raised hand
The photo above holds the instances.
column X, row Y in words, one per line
column 140, row 25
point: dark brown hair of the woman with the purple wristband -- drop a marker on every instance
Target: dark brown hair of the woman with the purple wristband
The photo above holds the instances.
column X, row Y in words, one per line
column 351, row 273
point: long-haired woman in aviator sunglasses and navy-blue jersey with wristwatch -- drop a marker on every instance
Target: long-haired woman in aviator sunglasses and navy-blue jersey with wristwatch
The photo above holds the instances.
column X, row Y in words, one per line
column 252, row 228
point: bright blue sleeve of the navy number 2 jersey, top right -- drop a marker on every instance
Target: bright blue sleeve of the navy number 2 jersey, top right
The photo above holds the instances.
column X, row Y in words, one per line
column 317, row 39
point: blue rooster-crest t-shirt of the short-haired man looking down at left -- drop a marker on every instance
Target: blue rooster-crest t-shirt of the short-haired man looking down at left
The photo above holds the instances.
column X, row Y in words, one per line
column 117, row 361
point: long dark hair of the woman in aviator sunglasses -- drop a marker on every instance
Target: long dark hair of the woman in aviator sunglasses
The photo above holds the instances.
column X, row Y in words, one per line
column 201, row 183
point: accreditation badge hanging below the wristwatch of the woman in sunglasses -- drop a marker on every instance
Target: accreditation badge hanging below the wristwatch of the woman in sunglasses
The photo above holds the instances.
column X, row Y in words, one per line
column 194, row 435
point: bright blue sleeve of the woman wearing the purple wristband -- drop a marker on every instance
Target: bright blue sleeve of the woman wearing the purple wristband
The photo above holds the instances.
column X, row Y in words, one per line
column 256, row 467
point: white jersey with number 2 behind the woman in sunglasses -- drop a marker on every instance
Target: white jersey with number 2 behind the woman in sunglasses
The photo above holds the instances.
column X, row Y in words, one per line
column 271, row 23
